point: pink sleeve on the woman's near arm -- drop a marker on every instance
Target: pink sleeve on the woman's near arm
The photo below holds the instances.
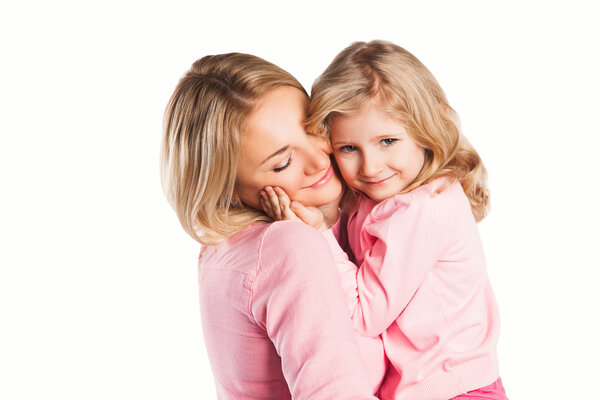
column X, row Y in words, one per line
column 297, row 298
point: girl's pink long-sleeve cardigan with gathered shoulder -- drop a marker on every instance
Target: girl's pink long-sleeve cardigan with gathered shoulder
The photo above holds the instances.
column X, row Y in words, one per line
column 422, row 284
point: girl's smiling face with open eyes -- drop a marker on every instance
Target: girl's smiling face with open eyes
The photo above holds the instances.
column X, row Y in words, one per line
column 374, row 152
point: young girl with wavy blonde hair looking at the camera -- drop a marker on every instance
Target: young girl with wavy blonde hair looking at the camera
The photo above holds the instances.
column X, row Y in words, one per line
column 417, row 190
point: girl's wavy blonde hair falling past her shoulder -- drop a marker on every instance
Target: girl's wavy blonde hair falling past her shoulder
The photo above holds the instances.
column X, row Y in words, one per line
column 403, row 87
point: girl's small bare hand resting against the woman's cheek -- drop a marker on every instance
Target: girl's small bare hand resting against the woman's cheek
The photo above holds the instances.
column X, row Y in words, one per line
column 276, row 203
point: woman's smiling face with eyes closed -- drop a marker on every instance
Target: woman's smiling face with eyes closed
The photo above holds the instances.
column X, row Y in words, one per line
column 277, row 151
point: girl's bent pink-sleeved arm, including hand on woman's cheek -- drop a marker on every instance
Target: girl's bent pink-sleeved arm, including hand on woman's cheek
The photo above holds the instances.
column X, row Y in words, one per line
column 399, row 252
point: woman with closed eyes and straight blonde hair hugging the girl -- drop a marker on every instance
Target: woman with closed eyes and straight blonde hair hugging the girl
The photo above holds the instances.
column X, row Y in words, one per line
column 274, row 319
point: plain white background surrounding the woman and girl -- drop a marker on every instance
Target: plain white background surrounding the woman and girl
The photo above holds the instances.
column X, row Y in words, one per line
column 98, row 291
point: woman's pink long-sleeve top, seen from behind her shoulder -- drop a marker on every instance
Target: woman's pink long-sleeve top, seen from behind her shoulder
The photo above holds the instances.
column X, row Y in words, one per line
column 274, row 319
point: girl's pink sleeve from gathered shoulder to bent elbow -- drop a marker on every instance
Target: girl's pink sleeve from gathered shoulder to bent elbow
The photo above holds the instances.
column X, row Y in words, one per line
column 398, row 253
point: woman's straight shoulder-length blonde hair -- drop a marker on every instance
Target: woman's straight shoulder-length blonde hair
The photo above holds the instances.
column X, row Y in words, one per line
column 201, row 142
